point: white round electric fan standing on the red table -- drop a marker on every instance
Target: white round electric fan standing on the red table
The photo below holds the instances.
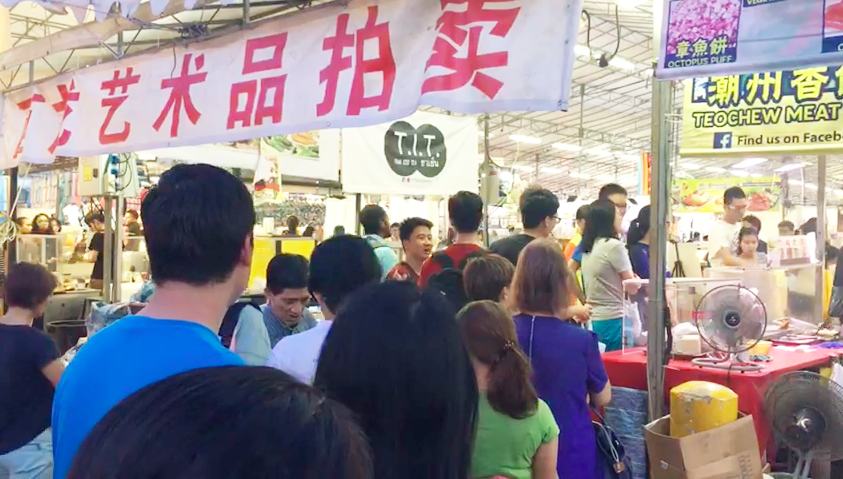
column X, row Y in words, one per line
column 731, row 319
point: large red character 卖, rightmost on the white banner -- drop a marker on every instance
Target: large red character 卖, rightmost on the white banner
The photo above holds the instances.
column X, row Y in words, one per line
column 460, row 31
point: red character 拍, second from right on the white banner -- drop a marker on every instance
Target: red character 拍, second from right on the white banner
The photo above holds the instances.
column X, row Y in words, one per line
column 383, row 63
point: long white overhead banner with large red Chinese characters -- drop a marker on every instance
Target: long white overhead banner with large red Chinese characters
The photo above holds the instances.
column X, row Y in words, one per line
column 370, row 62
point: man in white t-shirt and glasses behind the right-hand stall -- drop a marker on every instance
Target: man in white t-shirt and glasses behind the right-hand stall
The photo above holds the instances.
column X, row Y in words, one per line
column 723, row 238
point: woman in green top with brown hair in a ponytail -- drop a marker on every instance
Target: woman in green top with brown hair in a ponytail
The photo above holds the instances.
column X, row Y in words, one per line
column 516, row 432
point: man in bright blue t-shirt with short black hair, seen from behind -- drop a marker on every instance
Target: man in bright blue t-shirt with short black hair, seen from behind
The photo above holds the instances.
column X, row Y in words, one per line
column 198, row 227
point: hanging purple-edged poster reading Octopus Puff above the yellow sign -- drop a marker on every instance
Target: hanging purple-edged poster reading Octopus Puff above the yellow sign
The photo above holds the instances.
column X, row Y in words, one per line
column 728, row 37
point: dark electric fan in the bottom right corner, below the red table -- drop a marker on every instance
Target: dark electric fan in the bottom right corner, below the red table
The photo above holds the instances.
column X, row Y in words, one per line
column 806, row 411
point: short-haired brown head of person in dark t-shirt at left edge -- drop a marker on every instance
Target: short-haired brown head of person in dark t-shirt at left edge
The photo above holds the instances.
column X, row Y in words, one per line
column 27, row 286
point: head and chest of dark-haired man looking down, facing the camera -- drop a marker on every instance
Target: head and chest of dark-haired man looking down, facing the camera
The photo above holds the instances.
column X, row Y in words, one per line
column 285, row 312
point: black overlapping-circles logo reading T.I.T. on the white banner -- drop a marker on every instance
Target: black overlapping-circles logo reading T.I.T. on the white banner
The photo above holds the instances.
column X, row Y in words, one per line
column 409, row 149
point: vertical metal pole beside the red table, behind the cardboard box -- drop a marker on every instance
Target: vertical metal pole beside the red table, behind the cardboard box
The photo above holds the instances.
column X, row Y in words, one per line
column 659, row 208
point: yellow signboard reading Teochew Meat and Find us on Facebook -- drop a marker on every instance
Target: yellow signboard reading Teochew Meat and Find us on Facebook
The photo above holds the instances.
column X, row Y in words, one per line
column 795, row 111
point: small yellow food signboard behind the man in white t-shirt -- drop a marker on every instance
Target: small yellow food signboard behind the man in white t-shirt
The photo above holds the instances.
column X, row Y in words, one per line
column 706, row 195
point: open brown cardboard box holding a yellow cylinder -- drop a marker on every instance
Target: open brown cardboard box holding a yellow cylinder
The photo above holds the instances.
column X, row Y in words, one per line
column 727, row 452
